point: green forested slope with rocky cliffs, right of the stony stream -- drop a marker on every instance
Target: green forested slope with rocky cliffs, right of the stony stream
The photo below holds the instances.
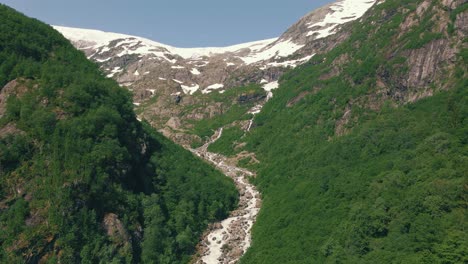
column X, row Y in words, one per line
column 363, row 151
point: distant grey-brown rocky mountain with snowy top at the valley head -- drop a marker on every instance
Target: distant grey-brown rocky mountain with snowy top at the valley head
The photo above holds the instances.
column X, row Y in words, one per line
column 175, row 89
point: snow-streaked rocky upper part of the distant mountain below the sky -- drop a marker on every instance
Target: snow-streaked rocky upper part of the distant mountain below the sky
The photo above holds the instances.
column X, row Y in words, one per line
column 129, row 58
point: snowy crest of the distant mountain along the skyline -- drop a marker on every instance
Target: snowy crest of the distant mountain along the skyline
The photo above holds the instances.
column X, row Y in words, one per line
column 317, row 24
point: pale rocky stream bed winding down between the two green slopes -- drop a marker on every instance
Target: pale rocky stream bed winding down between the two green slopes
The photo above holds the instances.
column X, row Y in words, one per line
column 227, row 241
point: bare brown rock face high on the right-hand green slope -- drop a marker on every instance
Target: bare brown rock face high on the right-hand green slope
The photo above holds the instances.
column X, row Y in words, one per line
column 432, row 56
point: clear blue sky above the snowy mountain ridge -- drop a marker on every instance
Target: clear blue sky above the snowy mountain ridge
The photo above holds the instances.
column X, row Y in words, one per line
column 181, row 23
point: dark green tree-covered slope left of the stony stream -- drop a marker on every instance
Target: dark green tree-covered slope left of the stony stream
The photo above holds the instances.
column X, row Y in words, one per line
column 81, row 180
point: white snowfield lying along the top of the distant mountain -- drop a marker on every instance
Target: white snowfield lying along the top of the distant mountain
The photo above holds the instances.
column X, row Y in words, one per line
column 249, row 53
